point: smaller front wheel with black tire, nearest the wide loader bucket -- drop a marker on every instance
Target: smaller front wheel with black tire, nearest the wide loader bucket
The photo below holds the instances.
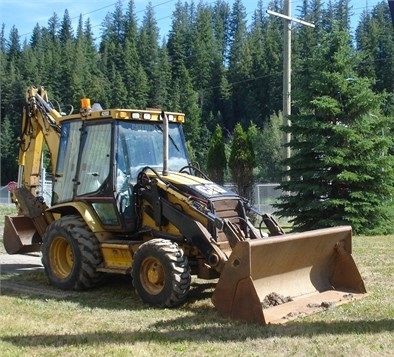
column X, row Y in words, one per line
column 161, row 273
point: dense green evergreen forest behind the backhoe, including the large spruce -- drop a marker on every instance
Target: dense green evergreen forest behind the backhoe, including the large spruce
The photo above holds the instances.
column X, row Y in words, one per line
column 223, row 68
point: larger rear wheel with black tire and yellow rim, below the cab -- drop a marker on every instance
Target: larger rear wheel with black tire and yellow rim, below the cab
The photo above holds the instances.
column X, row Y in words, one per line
column 71, row 254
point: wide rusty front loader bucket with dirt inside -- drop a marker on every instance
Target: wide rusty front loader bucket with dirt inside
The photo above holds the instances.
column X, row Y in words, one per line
column 275, row 280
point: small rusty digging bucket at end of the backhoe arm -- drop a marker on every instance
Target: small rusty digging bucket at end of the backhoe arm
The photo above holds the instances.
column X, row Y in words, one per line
column 20, row 235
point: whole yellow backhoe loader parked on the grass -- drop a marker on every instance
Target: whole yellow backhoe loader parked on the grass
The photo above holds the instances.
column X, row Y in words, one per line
column 127, row 200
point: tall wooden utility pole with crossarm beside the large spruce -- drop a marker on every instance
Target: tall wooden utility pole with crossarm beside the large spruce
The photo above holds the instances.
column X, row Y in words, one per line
column 287, row 19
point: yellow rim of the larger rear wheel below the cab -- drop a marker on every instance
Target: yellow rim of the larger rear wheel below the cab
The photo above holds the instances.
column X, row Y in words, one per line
column 61, row 257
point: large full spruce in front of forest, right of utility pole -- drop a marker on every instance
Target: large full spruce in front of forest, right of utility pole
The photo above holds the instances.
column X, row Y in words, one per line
column 340, row 170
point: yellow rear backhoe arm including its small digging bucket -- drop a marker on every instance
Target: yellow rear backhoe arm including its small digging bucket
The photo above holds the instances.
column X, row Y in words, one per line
column 40, row 123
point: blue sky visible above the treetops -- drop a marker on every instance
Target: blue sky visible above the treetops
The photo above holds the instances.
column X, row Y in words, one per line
column 25, row 14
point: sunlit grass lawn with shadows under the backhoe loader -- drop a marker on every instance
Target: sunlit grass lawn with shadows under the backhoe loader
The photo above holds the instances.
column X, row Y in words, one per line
column 112, row 321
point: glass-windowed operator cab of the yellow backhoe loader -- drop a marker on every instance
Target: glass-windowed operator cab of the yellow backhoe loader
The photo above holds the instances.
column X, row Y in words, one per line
column 100, row 158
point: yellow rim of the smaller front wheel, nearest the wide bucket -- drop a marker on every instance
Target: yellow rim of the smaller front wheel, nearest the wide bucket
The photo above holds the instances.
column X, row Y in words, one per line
column 152, row 276
